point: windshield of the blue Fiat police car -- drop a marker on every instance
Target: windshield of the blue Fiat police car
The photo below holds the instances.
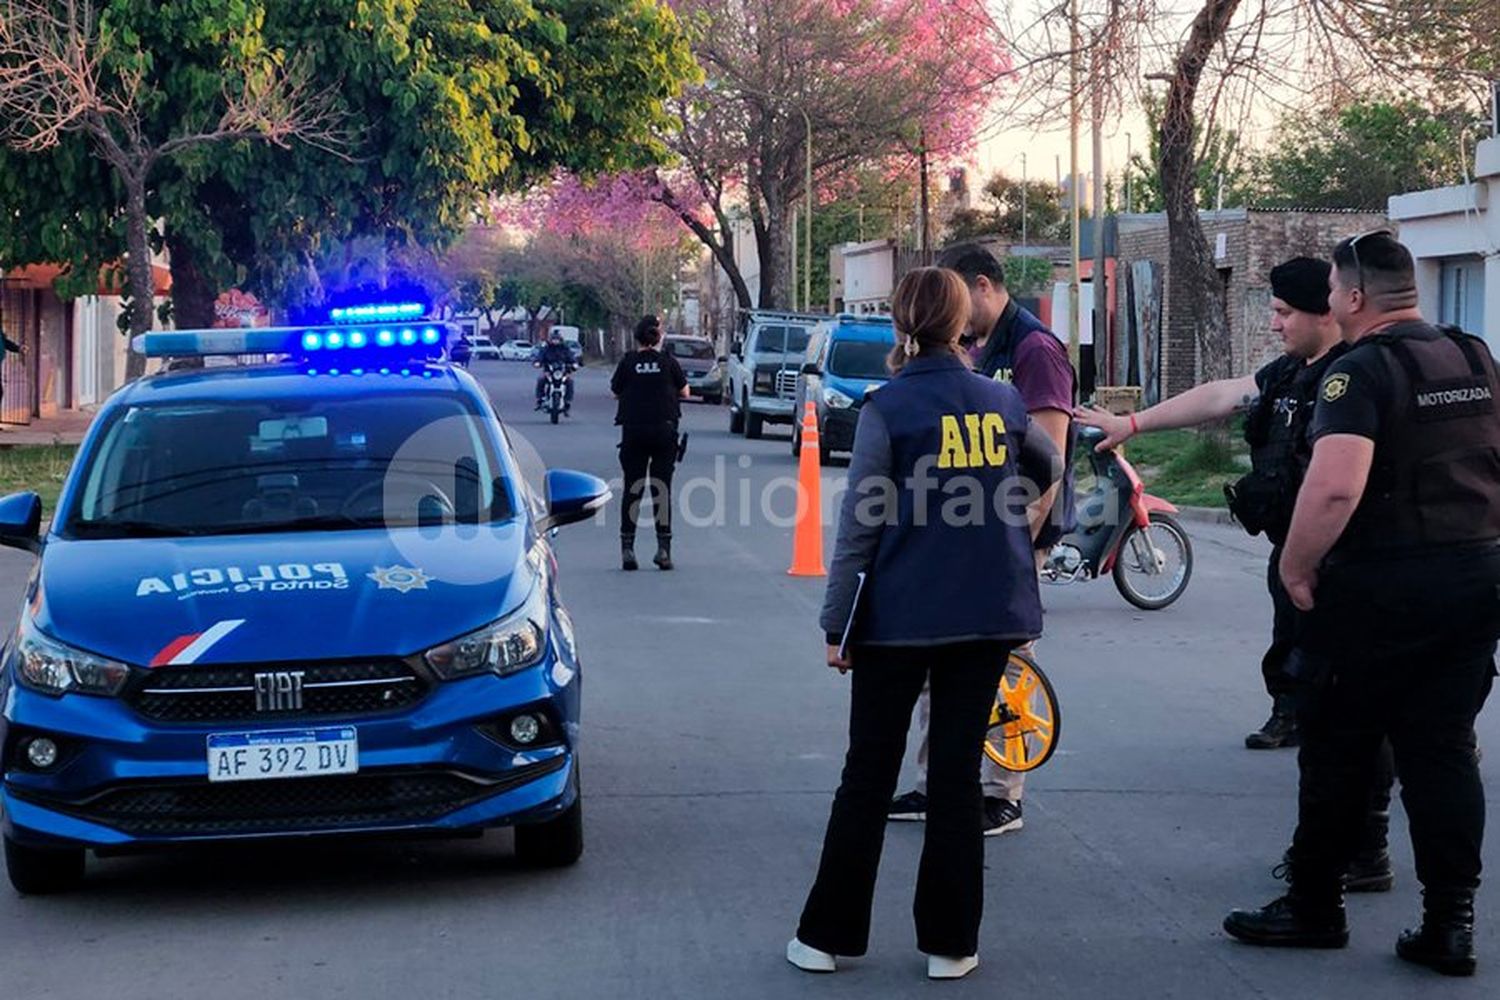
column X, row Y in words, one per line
column 244, row 467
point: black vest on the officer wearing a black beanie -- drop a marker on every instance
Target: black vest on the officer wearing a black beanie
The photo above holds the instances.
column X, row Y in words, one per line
column 1280, row 451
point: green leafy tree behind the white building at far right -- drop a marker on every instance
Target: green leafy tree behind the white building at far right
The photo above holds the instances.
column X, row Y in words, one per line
column 1361, row 155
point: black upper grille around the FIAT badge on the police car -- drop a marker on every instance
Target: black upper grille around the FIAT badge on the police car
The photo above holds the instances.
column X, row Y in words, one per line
column 227, row 693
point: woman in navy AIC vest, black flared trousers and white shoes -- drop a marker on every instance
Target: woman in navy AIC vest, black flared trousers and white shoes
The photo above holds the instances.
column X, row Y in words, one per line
column 944, row 467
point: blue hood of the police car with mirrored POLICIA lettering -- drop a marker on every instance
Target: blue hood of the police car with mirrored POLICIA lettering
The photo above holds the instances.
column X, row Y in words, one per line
column 281, row 597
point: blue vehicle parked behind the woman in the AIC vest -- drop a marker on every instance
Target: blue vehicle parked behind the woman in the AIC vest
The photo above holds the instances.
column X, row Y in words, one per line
column 845, row 361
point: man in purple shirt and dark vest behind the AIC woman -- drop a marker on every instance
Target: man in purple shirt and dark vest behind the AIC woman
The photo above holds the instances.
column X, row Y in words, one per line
column 1009, row 344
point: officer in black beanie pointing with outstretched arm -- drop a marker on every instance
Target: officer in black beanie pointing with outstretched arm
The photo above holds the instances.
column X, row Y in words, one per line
column 1279, row 403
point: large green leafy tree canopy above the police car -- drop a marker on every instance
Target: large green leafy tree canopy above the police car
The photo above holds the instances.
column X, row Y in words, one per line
column 439, row 106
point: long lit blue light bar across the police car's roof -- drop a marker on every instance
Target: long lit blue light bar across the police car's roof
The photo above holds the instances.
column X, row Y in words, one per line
column 392, row 340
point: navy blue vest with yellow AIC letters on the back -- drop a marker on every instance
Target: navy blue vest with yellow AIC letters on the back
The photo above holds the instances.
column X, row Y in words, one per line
column 955, row 560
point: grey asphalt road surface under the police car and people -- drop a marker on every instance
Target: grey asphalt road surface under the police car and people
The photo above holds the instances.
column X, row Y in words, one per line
column 715, row 738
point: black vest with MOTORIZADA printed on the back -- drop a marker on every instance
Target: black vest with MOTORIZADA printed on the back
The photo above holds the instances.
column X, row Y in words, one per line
column 1436, row 475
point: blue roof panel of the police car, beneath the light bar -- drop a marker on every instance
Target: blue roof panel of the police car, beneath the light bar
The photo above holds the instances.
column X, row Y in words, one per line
column 286, row 382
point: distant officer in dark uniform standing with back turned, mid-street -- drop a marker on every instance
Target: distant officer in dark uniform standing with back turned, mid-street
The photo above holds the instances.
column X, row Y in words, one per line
column 650, row 386
